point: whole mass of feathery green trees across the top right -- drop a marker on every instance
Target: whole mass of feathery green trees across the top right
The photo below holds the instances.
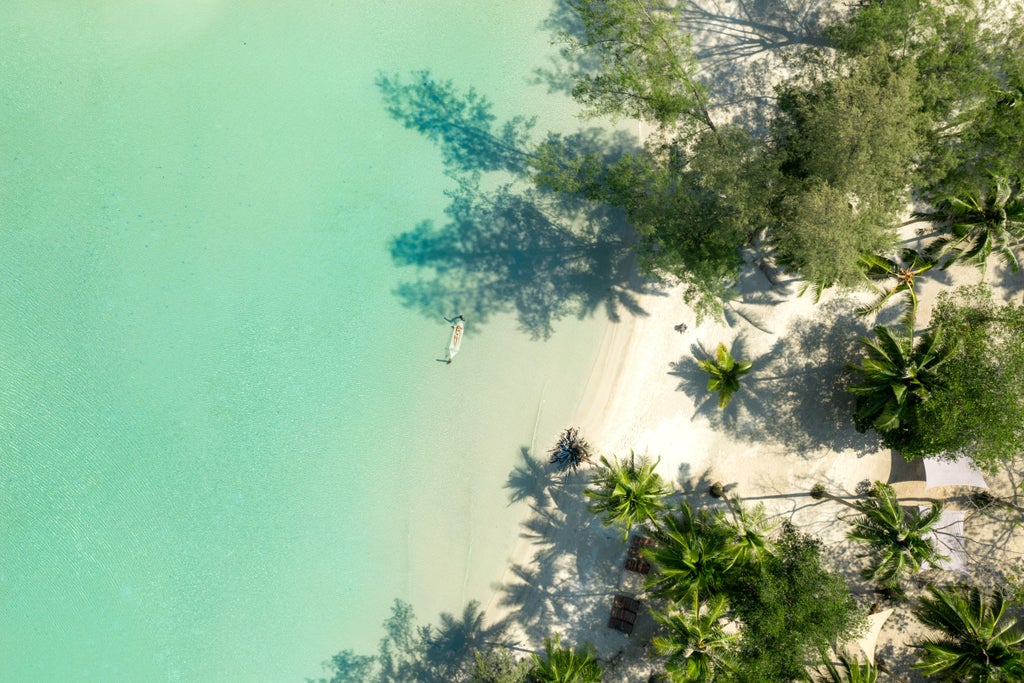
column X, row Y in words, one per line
column 920, row 97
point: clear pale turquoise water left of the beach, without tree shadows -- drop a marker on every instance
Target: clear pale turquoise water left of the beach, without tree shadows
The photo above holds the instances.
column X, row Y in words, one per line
column 226, row 445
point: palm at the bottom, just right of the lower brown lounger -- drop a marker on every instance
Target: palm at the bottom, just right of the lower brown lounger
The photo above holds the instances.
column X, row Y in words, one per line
column 698, row 647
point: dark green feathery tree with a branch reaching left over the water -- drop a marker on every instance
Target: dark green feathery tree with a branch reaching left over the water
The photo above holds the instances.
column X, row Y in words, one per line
column 694, row 206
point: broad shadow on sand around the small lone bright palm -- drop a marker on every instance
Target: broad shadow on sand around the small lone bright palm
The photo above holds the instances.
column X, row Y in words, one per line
column 796, row 394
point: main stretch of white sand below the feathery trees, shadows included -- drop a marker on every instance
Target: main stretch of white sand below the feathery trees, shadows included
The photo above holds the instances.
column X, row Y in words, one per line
column 788, row 430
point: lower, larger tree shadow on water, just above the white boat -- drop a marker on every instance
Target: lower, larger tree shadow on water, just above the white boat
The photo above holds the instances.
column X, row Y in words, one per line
column 517, row 251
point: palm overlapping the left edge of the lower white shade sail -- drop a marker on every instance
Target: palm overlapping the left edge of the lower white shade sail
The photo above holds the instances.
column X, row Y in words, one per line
column 897, row 538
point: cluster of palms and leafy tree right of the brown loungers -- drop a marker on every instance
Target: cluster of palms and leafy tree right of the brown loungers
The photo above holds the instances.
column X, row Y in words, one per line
column 710, row 569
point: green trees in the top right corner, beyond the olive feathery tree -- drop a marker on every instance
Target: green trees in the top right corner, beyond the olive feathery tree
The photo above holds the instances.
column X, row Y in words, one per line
column 969, row 78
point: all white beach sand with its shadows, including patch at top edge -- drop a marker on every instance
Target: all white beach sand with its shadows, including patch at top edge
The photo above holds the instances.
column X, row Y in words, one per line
column 788, row 430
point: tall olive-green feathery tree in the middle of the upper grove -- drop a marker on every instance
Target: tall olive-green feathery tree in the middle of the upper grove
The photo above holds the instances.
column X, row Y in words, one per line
column 846, row 138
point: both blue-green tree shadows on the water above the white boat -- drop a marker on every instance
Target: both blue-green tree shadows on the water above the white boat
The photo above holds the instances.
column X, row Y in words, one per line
column 510, row 248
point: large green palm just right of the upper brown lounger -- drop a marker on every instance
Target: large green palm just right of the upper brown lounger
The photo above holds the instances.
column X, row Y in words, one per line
column 693, row 554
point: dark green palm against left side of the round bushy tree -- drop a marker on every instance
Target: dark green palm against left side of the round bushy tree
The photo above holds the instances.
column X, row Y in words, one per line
column 899, row 373
